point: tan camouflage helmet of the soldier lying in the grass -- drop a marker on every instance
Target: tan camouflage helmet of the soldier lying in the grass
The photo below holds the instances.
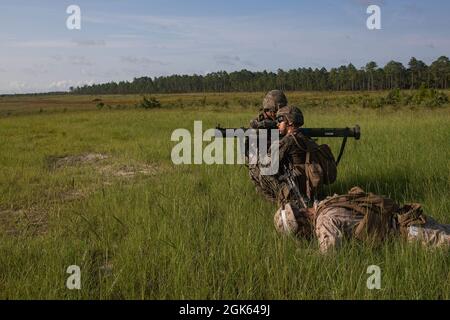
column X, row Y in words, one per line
column 292, row 221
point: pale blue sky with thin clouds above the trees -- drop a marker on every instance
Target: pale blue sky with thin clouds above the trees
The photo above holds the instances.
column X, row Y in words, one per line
column 123, row 39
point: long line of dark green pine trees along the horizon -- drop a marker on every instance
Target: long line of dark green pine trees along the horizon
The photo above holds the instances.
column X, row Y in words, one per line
column 346, row 77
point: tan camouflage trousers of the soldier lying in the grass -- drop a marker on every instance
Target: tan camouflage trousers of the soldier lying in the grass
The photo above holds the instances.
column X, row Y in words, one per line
column 430, row 234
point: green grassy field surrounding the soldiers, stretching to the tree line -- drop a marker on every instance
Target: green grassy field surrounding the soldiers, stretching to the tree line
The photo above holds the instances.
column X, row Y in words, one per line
column 96, row 188
